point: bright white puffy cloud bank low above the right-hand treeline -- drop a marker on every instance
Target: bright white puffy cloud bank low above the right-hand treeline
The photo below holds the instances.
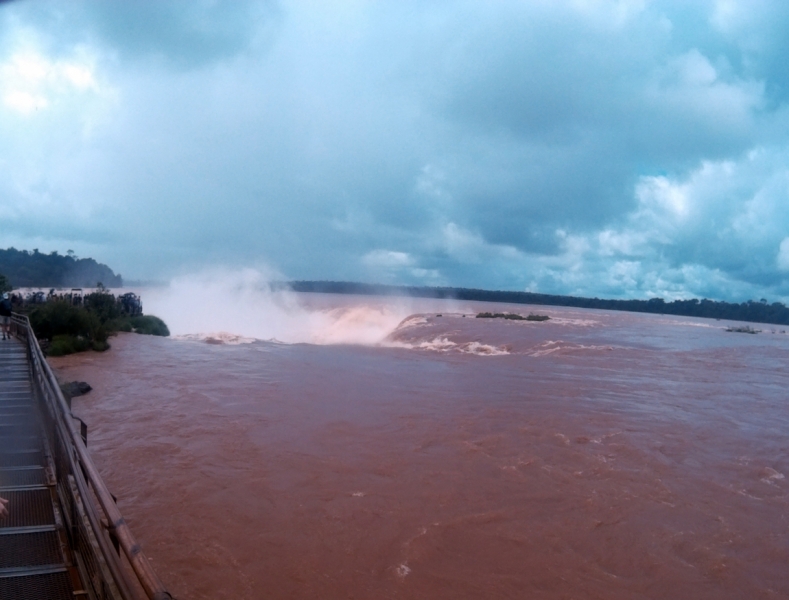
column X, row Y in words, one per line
column 710, row 233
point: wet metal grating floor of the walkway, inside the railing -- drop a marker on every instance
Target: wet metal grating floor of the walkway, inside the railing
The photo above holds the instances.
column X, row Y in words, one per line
column 34, row 557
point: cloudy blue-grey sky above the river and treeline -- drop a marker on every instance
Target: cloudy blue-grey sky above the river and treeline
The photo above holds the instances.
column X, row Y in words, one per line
column 619, row 149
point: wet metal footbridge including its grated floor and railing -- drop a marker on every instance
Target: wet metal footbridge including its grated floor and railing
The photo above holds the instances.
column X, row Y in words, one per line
column 63, row 537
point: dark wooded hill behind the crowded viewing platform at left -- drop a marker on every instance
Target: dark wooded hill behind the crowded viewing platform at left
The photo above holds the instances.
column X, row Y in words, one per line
column 22, row 268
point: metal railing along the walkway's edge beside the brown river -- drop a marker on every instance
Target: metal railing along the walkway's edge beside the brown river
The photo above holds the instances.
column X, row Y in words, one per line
column 111, row 562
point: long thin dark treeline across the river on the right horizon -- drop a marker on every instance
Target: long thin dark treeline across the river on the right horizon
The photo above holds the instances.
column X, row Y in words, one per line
column 756, row 312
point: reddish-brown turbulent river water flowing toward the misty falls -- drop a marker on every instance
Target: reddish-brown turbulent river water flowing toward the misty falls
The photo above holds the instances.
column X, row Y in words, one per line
column 594, row 455
